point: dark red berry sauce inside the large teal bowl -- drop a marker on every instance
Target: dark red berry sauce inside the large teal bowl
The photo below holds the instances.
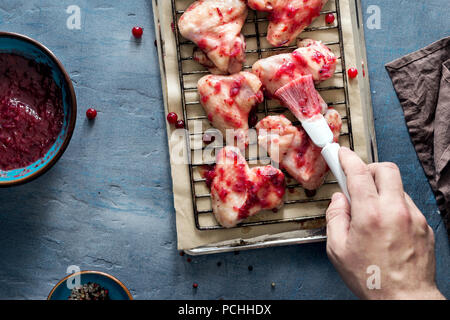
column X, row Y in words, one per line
column 31, row 113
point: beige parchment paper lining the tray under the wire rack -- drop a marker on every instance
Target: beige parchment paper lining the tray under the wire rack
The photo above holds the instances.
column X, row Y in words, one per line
column 189, row 236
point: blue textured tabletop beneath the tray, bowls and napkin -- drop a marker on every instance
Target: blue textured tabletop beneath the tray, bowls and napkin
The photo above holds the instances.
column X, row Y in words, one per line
column 107, row 204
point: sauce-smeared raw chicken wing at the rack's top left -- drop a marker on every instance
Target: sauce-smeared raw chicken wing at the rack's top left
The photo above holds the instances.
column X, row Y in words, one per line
column 215, row 27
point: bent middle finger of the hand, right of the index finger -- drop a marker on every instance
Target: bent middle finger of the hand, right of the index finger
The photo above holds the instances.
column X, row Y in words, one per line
column 387, row 180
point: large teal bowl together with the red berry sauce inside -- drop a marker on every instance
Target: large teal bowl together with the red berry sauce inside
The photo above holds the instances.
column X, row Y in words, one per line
column 37, row 109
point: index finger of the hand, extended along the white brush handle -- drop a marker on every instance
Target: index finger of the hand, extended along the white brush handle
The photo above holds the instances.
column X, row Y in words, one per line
column 361, row 185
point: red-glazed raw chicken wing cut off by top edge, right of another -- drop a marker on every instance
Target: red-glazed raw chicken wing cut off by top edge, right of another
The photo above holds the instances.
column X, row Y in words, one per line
column 288, row 18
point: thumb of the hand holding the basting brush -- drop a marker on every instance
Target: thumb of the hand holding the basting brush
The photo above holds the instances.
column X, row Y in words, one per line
column 338, row 220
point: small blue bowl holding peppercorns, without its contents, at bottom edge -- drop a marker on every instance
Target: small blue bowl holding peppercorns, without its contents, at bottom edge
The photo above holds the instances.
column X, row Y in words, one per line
column 116, row 289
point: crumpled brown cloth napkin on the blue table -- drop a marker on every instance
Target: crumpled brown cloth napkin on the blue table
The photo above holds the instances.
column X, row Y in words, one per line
column 422, row 82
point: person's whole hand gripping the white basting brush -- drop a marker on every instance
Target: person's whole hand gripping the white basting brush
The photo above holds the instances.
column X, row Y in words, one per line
column 382, row 229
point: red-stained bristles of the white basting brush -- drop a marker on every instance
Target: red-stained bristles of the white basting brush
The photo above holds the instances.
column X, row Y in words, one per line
column 301, row 97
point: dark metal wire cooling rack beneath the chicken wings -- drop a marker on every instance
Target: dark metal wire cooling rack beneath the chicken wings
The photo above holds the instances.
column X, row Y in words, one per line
column 255, row 19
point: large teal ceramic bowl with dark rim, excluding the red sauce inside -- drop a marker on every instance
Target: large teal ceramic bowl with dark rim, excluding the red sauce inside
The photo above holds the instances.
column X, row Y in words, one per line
column 31, row 49
